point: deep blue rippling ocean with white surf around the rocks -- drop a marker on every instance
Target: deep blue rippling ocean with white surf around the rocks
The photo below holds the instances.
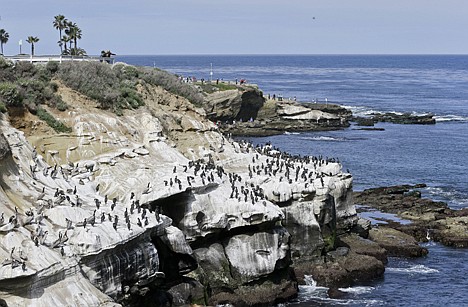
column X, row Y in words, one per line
column 436, row 155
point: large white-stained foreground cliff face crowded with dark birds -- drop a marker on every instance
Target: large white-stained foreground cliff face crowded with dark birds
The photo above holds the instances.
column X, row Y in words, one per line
column 157, row 206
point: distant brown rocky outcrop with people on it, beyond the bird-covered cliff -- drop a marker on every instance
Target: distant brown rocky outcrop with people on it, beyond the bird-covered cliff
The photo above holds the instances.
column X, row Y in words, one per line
column 245, row 111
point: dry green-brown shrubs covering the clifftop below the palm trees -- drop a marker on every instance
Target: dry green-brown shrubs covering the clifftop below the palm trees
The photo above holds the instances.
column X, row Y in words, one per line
column 113, row 87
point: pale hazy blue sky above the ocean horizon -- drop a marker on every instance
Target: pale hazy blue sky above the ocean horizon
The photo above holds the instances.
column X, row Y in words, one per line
column 244, row 26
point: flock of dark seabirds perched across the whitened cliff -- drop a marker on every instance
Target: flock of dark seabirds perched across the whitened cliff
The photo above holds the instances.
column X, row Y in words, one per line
column 267, row 161
